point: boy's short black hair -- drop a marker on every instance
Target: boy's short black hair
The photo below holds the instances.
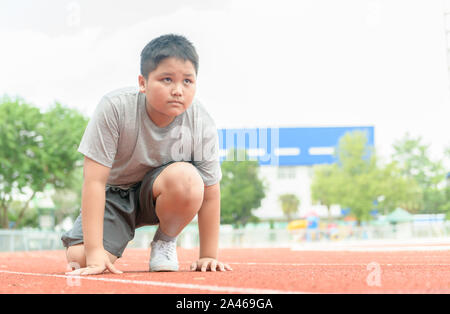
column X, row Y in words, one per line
column 167, row 46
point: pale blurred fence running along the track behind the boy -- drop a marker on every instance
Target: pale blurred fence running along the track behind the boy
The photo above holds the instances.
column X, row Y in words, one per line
column 27, row 240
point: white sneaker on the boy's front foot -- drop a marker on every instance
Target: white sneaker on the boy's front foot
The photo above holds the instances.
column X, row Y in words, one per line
column 163, row 256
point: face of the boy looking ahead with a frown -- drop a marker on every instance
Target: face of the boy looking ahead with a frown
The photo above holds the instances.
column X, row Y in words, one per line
column 169, row 90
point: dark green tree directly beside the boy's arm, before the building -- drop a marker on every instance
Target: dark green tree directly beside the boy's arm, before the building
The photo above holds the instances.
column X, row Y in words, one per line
column 241, row 189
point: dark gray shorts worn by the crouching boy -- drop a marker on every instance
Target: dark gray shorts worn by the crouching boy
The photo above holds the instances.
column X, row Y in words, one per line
column 125, row 210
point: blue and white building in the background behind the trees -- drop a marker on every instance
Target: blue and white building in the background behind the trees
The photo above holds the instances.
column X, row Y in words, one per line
column 286, row 157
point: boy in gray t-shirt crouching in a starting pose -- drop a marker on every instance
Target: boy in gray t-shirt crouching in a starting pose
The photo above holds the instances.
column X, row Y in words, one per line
column 154, row 151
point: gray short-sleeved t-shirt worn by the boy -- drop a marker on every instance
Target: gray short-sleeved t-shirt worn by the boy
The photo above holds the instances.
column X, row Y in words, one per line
column 121, row 135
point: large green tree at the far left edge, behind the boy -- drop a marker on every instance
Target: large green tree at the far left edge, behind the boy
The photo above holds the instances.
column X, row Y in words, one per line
column 37, row 149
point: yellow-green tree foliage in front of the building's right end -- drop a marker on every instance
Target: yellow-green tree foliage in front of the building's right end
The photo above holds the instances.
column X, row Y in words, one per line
column 358, row 181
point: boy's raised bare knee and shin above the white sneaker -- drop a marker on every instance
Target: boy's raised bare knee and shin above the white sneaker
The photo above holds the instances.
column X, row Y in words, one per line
column 178, row 191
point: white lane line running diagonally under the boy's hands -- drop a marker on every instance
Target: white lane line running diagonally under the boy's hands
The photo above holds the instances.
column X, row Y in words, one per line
column 217, row 289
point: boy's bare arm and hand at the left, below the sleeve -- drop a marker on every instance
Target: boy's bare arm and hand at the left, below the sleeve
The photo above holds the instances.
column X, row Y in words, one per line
column 92, row 213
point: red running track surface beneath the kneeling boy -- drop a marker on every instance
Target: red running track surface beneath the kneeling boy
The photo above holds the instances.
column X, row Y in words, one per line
column 255, row 271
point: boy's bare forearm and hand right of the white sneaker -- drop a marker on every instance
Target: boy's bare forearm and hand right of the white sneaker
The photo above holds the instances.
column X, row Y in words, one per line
column 208, row 226
